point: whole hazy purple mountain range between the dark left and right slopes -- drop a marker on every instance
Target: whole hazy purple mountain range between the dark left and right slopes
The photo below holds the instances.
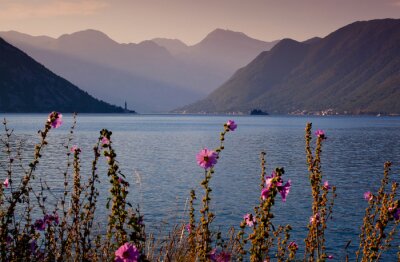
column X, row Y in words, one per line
column 152, row 76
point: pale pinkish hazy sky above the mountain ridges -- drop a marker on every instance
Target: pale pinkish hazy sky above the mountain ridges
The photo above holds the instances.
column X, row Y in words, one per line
column 190, row 20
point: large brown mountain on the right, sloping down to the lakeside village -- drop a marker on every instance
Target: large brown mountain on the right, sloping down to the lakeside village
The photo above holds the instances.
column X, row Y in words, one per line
column 354, row 70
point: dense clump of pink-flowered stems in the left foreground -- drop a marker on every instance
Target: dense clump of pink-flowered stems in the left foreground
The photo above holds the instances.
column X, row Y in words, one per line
column 67, row 232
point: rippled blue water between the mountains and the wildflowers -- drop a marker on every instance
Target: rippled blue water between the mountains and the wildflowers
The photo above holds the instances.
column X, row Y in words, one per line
column 157, row 154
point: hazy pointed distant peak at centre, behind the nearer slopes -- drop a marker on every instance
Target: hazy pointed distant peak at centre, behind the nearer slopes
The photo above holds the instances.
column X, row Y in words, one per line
column 221, row 53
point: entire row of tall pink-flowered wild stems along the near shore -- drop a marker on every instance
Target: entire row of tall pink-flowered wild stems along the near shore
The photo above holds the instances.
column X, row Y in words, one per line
column 31, row 229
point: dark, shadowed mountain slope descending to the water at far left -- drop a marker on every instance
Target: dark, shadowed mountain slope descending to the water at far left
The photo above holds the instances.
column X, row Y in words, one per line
column 27, row 86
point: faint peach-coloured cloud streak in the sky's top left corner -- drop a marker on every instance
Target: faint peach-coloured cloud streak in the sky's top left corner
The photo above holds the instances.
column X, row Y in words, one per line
column 12, row 10
